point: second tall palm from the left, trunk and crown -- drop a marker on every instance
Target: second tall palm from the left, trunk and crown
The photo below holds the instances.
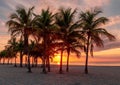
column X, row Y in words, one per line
column 45, row 23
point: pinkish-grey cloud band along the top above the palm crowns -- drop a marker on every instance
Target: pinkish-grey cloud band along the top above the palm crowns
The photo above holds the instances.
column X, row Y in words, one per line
column 56, row 4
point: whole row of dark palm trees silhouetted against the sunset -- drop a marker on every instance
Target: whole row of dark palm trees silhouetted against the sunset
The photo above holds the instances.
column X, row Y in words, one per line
column 54, row 33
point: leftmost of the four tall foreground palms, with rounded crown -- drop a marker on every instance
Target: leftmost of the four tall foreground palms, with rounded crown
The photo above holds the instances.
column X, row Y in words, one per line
column 21, row 23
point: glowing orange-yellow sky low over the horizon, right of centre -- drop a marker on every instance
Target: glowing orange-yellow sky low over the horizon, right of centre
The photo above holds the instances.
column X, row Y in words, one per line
column 109, row 57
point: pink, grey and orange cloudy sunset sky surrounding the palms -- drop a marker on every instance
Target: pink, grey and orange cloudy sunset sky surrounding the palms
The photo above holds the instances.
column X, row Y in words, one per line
column 109, row 55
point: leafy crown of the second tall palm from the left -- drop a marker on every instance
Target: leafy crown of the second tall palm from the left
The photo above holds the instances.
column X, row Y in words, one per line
column 44, row 24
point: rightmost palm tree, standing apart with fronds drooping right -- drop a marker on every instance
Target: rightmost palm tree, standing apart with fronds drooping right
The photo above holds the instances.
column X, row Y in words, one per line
column 93, row 31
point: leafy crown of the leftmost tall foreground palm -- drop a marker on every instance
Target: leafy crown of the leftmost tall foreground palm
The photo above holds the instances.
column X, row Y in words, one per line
column 20, row 20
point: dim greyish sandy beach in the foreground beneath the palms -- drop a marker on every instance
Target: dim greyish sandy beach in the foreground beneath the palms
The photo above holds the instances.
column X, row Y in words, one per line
column 10, row 75
